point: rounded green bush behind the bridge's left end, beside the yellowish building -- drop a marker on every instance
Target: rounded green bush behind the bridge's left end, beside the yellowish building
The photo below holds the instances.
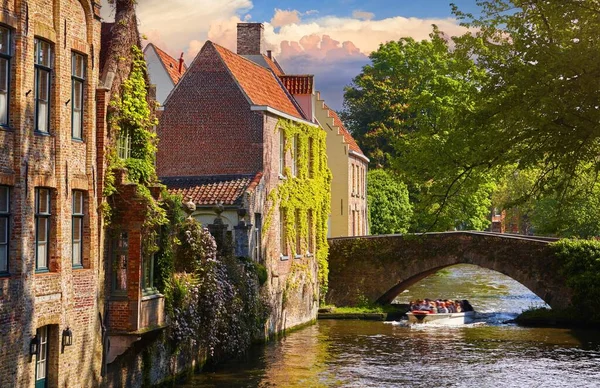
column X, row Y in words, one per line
column 390, row 210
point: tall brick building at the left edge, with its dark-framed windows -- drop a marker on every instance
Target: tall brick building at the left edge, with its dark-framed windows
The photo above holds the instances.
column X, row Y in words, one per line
column 50, row 267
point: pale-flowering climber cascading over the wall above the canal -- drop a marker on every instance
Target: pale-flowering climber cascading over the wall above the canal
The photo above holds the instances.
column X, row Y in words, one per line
column 217, row 305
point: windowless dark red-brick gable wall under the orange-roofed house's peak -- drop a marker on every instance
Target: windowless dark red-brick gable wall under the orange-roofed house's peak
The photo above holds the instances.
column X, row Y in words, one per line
column 208, row 105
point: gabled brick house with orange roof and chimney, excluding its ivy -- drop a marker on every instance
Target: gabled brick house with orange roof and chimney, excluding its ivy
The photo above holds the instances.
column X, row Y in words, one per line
column 221, row 146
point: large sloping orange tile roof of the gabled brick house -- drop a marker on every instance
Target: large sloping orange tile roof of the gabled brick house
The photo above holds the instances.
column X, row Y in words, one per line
column 259, row 83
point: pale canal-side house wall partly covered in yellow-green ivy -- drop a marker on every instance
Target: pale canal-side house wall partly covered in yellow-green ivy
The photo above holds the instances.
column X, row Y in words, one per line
column 302, row 194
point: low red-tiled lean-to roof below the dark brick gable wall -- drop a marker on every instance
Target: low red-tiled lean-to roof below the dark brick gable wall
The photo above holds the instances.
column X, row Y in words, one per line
column 210, row 190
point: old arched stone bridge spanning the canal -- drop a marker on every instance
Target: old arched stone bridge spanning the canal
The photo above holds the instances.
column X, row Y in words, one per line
column 381, row 267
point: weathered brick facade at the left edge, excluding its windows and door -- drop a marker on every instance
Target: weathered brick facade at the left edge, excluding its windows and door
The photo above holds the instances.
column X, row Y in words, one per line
column 65, row 296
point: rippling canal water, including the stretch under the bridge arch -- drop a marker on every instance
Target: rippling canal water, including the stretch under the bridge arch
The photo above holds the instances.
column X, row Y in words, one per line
column 487, row 353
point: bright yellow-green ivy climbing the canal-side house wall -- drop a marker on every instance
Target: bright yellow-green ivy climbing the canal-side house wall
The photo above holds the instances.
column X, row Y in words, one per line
column 308, row 191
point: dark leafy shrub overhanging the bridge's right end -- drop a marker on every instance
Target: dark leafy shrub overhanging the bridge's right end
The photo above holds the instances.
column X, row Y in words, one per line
column 580, row 265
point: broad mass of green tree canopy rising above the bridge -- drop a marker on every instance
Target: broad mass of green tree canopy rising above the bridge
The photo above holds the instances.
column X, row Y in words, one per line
column 519, row 93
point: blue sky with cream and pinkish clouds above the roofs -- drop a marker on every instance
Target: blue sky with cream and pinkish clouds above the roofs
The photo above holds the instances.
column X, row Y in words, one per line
column 328, row 38
